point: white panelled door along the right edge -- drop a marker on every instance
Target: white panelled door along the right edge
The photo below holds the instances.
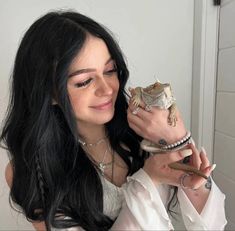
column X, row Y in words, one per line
column 224, row 133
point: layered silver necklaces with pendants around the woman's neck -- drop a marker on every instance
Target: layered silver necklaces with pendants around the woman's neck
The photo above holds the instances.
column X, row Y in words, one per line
column 102, row 166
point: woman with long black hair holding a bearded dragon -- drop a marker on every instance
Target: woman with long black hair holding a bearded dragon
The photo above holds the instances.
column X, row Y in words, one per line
column 74, row 140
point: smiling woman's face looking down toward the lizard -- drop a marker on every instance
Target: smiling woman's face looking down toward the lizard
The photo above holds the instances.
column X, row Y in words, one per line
column 93, row 83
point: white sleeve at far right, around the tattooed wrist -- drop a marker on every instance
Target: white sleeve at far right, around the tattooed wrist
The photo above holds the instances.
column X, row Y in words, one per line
column 212, row 216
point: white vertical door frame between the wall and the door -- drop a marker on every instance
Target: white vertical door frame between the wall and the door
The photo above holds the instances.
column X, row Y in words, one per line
column 204, row 73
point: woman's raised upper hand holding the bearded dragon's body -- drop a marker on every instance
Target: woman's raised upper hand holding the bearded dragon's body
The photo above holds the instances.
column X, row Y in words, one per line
column 153, row 125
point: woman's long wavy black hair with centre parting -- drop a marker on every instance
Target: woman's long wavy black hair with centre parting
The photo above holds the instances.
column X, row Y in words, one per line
column 52, row 175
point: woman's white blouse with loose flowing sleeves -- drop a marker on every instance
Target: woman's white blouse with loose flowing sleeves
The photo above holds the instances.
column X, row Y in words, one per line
column 140, row 205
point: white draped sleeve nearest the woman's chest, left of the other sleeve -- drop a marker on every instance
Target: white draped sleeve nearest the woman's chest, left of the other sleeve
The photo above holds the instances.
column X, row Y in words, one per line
column 142, row 208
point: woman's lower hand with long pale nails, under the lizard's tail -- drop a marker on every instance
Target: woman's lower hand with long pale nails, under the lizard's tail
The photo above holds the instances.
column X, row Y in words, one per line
column 156, row 166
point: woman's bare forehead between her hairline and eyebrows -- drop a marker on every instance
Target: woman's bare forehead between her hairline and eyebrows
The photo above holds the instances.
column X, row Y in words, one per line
column 93, row 54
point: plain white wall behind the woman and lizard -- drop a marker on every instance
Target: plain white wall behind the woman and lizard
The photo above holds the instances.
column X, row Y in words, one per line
column 156, row 37
